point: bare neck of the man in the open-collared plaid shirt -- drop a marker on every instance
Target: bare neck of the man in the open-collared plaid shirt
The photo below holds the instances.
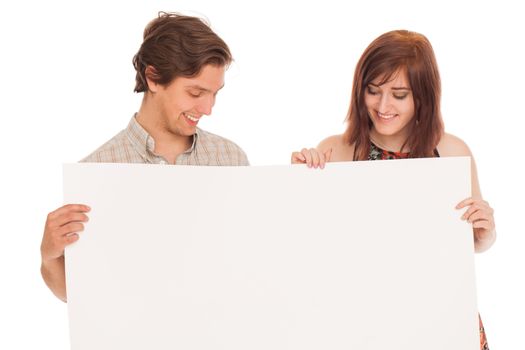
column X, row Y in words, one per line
column 168, row 144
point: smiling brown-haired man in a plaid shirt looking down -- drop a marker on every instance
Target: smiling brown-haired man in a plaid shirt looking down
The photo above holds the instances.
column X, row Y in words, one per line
column 180, row 68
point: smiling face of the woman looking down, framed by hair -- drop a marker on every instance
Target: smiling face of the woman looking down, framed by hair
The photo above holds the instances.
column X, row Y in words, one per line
column 390, row 106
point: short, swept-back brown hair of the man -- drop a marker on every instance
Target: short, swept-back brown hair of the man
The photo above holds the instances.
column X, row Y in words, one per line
column 175, row 45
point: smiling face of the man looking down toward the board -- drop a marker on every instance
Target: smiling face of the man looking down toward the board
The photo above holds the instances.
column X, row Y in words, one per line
column 184, row 101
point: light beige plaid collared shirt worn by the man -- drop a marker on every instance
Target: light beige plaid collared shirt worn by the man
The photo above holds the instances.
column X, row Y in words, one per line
column 135, row 145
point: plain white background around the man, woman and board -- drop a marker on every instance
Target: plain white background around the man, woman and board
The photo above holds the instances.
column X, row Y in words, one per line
column 67, row 83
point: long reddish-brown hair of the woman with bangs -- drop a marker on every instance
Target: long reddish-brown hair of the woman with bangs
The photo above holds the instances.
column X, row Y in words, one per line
column 392, row 52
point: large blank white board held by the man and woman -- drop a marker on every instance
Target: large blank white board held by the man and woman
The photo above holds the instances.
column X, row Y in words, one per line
column 362, row 255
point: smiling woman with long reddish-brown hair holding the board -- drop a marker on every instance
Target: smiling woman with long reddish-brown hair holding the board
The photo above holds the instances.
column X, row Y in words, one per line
column 395, row 113
